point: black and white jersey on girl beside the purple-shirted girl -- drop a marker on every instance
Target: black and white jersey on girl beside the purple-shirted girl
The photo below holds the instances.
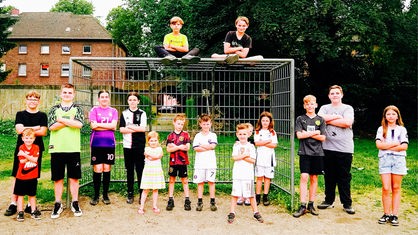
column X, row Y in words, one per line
column 139, row 118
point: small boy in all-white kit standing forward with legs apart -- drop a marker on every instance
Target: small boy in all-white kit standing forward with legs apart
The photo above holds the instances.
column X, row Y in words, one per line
column 243, row 154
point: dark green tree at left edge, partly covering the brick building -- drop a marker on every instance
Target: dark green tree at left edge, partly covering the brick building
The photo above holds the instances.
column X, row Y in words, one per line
column 6, row 21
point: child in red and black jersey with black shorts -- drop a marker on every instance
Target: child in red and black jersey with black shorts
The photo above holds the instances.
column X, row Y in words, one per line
column 178, row 143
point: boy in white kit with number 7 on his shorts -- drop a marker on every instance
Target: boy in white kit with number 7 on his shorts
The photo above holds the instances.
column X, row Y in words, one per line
column 204, row 144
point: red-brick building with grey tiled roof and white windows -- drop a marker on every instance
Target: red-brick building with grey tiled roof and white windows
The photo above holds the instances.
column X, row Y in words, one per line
column 45, row 42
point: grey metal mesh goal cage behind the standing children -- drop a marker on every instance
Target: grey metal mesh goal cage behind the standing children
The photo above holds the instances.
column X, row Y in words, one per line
column 231, row 94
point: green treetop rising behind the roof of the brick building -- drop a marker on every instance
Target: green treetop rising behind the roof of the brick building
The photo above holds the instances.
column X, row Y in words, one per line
column 78, row 7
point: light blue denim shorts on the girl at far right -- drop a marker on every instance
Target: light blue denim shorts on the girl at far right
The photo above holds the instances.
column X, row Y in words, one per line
column 392, row 164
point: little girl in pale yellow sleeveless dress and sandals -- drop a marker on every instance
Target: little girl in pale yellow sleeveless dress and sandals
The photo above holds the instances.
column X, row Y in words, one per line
column 152, row 176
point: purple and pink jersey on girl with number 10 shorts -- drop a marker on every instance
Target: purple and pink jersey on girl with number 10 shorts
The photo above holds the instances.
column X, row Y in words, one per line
column 103, row 138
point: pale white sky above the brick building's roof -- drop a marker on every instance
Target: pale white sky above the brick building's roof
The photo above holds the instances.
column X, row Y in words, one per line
column 101, row 7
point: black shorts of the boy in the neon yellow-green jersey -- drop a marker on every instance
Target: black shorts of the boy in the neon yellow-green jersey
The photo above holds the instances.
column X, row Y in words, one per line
column 60, row 160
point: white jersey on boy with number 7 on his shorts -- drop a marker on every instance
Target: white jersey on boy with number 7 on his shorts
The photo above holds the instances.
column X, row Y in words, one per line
column 206, row 159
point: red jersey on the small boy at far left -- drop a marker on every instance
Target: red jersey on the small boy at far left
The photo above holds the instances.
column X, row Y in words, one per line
column 28, row 170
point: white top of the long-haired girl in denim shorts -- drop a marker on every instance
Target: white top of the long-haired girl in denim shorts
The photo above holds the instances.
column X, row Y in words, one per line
column 397, row 134
